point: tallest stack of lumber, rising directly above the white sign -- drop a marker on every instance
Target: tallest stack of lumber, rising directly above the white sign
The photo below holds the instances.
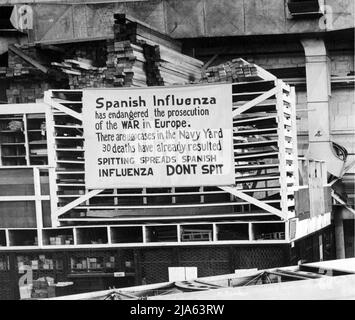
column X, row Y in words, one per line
column 144, row 56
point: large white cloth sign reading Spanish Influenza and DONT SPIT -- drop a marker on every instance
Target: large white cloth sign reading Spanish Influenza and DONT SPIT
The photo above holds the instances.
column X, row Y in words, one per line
column 158, row 136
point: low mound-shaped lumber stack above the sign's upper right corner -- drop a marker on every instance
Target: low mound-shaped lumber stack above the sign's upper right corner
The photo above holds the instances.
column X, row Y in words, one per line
column 236, row 70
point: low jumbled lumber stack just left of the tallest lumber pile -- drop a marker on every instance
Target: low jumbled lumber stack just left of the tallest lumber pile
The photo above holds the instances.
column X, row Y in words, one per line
column 81, row 73
